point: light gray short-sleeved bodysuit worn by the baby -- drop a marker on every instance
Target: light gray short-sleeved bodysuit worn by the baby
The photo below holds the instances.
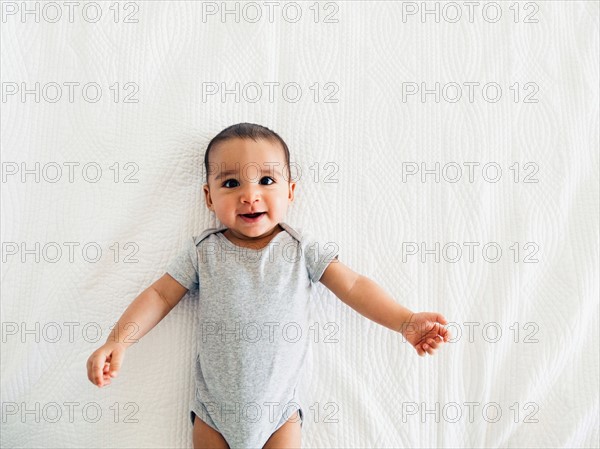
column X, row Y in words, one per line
column 252, row 328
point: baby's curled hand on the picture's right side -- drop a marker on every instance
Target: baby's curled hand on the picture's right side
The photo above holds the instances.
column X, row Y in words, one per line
column 425, row 332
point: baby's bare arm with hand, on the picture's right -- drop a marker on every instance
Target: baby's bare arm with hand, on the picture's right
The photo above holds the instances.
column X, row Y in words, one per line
column 423, row 330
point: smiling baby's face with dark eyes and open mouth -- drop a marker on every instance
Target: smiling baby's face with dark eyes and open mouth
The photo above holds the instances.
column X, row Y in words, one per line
column 246, row 177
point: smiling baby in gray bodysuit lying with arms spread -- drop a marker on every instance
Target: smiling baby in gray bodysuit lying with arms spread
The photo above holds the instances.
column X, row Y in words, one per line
column 254, row 276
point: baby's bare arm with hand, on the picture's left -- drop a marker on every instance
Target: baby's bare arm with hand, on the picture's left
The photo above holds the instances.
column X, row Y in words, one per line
column 145, row 312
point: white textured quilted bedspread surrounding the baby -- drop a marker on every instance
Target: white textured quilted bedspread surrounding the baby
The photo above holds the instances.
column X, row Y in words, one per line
column 353, row 141
